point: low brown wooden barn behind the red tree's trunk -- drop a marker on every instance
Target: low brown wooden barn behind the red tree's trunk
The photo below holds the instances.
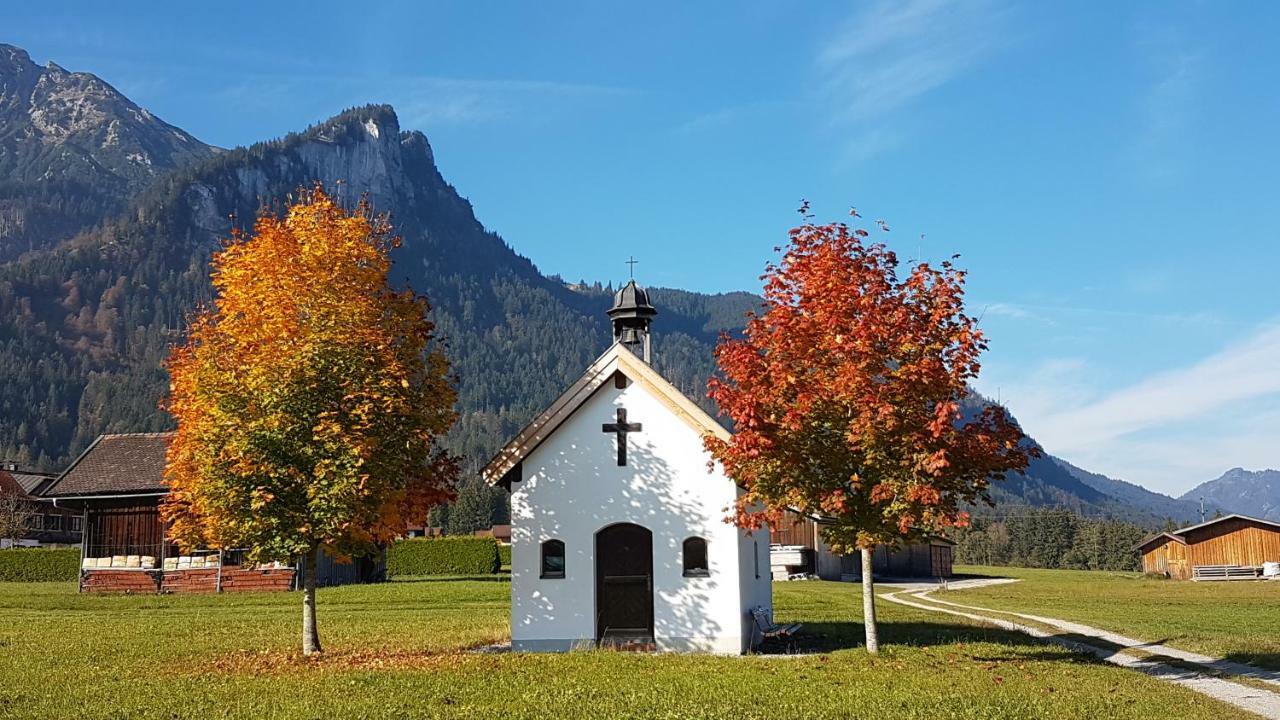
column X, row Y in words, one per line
column 799, row 537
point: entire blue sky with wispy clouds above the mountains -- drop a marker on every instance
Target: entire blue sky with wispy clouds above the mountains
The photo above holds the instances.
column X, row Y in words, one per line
column 1108, row 172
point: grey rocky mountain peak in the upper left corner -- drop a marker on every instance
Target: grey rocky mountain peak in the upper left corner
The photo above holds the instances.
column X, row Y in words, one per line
column 74, row 151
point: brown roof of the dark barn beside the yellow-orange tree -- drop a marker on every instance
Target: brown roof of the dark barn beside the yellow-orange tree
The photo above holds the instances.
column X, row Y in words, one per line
column 117, row 464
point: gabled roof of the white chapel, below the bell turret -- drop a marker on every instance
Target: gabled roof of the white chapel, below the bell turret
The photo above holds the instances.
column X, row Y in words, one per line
column 616, row 359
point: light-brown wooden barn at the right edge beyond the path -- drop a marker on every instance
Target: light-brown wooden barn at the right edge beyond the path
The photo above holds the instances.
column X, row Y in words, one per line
column 1224, row 549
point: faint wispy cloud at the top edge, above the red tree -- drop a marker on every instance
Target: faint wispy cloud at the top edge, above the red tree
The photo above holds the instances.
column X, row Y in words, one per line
column 889, row 54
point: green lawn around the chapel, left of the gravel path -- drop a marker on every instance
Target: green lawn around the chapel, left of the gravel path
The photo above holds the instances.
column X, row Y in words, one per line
column 397, row 651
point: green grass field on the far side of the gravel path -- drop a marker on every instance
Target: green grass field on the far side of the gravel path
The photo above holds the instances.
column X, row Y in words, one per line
column 1236, row 621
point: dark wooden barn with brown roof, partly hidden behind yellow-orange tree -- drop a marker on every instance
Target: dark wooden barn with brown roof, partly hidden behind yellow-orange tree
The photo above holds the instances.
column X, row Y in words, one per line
column 117, row 486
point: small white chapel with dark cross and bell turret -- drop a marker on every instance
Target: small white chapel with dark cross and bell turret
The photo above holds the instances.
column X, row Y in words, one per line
column 618, row 528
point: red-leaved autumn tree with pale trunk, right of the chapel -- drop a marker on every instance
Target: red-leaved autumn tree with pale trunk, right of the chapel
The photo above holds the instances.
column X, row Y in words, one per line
column 847, row 395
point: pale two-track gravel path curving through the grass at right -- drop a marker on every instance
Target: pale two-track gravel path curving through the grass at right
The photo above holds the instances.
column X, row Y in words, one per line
column 1261, row 703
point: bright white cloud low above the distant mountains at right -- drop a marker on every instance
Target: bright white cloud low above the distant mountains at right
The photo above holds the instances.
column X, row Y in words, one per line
column 1168, row 432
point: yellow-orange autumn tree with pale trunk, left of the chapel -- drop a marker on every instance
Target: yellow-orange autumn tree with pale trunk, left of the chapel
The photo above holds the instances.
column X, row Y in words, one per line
column 309, row 398
